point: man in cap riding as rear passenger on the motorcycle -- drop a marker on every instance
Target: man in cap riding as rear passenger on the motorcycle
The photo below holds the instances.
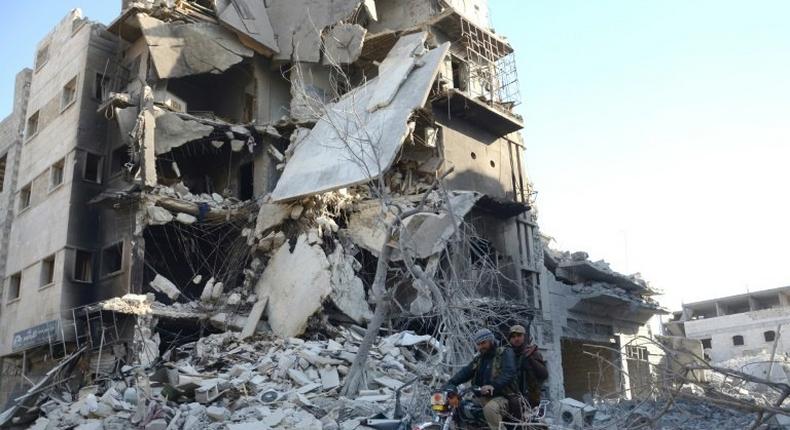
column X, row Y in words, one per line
column 530, row 365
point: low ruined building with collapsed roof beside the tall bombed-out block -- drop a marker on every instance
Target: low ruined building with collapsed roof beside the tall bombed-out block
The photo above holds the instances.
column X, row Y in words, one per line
column 591, row 314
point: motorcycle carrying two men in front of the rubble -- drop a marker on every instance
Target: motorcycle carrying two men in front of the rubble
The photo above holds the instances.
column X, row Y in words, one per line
column 457, row 410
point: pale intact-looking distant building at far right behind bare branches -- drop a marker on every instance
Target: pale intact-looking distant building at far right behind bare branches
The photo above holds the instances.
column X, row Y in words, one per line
column 736, row 326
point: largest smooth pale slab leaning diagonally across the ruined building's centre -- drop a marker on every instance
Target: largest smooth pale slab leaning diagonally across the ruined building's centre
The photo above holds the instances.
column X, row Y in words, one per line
column 350, row 145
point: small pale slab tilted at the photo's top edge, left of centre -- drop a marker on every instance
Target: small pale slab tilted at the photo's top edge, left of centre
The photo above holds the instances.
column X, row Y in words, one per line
column 250, row 21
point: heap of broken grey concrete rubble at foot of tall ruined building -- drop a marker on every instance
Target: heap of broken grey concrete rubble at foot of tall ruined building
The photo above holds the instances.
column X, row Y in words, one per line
column 220, row 381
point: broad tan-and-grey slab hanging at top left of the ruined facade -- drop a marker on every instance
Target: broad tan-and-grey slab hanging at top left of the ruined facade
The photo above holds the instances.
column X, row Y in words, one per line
column 179, row 50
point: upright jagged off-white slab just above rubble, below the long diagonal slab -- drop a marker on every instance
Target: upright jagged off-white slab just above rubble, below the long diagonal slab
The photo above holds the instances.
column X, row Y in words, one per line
column 296, row 284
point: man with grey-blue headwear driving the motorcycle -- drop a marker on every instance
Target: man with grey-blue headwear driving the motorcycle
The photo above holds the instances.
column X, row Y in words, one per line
column 493, row 369
